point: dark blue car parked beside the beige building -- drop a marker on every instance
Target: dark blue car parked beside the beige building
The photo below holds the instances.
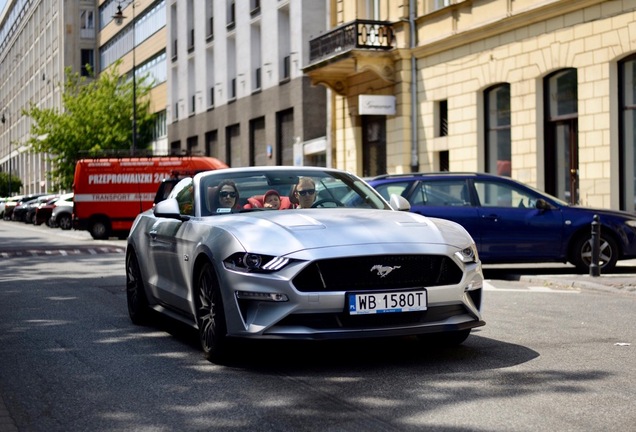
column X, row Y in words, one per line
column 514, row 223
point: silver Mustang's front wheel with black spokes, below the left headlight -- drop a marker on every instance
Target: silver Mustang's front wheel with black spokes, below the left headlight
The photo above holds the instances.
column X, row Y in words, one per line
column 210, row 315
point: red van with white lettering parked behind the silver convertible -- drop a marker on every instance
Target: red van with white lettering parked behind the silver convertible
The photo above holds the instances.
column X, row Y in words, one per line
column 111, row 192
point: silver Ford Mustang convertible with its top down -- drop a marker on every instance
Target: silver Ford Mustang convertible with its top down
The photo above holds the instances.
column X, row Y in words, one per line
column 349, row 265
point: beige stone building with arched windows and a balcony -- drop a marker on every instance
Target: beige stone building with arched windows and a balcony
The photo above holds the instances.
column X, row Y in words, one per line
column 541, row 90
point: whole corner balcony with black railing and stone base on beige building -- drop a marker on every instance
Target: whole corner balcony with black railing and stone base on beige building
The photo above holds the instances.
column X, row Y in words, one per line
column 352, row 48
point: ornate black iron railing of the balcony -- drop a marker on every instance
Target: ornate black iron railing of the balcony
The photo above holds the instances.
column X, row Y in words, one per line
column 358, row 34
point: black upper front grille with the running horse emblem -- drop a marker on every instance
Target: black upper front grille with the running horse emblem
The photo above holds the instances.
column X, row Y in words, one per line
column 382, row 272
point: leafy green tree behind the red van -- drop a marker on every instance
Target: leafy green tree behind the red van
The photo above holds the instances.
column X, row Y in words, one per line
column 95, row 120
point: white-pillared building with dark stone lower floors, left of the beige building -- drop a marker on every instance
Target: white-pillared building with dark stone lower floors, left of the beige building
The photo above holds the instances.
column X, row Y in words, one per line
column 236, row 90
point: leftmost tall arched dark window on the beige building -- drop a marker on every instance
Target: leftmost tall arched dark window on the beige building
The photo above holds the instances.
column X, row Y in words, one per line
column 498, row 143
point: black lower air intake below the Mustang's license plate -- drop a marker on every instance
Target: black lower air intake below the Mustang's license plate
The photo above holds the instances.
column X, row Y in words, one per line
column 344, row 321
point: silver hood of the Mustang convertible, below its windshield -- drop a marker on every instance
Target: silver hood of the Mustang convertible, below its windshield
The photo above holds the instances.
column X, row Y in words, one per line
column 289, row 231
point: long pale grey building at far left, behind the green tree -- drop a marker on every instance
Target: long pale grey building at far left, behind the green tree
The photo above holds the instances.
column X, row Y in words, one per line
column 38, row 40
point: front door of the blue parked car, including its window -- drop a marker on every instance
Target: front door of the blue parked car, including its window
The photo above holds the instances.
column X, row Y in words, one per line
column 512, row 228
